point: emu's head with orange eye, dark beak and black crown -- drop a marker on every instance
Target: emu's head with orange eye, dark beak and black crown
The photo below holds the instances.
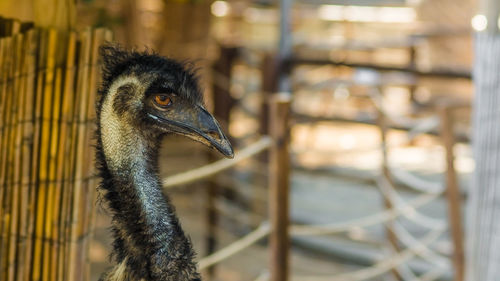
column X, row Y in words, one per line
column 145, row 96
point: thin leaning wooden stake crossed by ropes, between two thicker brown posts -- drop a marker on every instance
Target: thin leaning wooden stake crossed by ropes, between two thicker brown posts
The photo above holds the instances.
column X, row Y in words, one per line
column 391, row 235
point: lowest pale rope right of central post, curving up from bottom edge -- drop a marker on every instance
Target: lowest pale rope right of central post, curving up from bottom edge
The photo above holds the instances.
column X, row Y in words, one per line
column 381, row 267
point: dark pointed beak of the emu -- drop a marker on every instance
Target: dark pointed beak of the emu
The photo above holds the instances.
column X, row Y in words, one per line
column 197, row 124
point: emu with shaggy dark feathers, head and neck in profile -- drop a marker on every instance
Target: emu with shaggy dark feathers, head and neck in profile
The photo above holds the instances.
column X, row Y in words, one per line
column 144, row 97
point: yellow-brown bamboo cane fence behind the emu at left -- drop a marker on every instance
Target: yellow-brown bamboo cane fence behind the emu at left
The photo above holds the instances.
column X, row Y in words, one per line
column 48, row 83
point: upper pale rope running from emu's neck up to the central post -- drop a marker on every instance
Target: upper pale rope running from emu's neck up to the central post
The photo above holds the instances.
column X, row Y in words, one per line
column 218, row 166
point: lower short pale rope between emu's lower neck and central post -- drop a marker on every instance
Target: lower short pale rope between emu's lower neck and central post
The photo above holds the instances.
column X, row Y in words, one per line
column 235, row 247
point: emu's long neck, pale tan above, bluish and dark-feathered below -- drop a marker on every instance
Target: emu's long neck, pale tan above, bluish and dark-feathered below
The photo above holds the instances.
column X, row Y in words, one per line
column 149, row 241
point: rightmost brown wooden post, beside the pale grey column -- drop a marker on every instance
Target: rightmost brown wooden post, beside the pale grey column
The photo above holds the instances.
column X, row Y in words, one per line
column 452, row 192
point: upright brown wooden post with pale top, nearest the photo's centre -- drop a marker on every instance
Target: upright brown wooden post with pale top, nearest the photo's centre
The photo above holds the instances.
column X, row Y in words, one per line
column 279, row 187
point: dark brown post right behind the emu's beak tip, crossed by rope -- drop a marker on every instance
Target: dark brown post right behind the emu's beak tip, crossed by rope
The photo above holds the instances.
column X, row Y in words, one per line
column 223, row 103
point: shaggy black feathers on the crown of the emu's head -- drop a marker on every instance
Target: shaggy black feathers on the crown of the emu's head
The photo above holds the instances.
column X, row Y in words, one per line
column 117, row 61
